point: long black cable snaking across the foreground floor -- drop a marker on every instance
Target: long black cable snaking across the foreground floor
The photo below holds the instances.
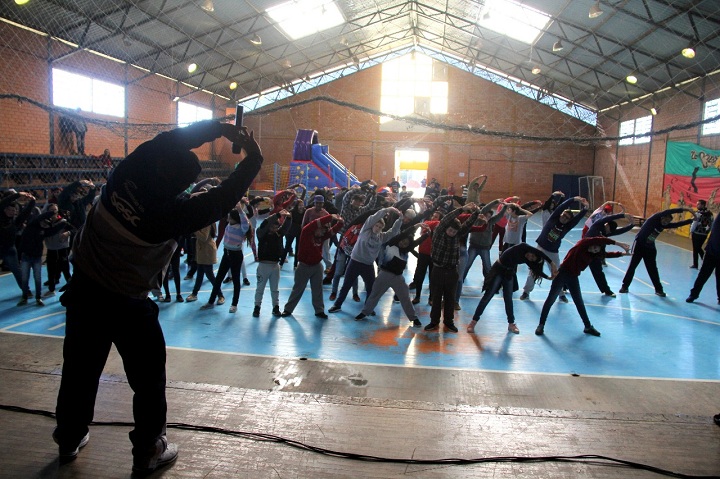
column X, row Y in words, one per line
column 588, row 459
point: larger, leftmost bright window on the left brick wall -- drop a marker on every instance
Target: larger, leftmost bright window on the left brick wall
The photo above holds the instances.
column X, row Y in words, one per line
column 71, row 90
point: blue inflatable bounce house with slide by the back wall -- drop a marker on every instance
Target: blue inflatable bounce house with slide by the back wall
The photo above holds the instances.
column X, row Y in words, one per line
column 313, row 166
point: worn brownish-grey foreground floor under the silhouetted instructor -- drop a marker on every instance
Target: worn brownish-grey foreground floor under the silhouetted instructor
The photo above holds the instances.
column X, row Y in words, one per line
column 407, row 413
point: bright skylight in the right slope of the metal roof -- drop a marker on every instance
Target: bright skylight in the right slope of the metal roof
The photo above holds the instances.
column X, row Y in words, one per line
column 513, row 20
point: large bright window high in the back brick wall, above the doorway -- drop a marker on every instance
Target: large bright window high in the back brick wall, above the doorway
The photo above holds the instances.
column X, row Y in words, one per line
column 413, row 84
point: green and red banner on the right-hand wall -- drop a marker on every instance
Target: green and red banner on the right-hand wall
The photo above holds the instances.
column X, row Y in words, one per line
column 692, row 173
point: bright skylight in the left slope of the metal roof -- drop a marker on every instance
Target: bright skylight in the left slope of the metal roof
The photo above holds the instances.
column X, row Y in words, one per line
column 300, row 18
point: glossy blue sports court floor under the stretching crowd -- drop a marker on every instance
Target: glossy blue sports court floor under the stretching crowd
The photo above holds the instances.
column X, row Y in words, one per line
column 642, row 335
